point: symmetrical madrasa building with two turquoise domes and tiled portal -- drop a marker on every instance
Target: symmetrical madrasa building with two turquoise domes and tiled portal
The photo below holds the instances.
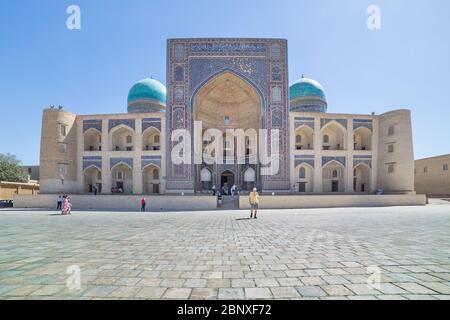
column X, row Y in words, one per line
column 227, row 84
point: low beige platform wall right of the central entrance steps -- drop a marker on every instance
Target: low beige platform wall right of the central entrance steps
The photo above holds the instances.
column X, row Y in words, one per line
column 333, row 201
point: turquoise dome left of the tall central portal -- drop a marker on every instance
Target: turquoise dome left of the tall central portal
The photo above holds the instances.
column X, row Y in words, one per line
column 145, row 95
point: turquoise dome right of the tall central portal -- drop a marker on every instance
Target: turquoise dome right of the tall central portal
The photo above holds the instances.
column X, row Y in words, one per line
column 307, row 95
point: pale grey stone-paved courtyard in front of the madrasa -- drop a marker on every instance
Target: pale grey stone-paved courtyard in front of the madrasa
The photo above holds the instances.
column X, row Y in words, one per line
column 289, row 254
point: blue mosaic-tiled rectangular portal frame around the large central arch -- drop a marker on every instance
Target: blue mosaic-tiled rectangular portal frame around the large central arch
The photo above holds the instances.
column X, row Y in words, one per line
column 260, row 62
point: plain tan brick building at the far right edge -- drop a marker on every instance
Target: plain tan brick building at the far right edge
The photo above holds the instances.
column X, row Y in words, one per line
column 432, row 176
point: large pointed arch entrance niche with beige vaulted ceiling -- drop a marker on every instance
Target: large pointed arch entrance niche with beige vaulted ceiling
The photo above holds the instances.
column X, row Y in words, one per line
column 225, row 102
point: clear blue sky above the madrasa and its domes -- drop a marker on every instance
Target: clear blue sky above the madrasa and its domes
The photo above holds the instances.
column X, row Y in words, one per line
column 404, row 65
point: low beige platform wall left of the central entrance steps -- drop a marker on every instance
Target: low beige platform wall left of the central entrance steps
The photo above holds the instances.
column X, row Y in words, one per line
column 120, row 202
